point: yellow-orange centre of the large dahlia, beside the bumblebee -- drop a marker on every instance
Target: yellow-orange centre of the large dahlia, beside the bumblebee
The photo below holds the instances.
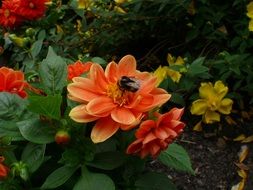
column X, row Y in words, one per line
column 118, row 96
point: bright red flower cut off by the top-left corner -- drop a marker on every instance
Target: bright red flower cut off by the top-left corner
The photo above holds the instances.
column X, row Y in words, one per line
column 8, row 16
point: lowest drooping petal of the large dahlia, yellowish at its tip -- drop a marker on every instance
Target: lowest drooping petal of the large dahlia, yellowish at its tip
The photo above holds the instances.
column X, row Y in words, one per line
column 104, row 129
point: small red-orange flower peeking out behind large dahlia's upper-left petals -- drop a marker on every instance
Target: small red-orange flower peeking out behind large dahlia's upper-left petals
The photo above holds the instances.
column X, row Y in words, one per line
column 78, row 68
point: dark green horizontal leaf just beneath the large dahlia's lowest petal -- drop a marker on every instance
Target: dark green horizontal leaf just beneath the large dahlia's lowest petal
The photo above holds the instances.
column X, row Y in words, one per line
column 108, row 160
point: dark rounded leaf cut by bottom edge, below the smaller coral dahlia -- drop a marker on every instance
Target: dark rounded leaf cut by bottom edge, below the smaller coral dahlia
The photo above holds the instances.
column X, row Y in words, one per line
column 154, row 181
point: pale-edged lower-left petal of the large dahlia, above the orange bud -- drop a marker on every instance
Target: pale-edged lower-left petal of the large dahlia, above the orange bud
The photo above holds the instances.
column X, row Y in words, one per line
column 79, row 114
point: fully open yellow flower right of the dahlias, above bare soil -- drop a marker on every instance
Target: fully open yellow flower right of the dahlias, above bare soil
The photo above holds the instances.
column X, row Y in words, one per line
column 212, row 102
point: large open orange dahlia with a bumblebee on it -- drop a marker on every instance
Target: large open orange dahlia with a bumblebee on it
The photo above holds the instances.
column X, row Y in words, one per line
column 114, row 106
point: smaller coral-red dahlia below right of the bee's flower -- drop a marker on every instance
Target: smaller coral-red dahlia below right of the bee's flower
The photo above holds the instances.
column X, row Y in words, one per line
column 154, row 136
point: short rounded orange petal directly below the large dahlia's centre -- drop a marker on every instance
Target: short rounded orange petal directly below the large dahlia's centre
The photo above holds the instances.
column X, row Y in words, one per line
column 123, row 116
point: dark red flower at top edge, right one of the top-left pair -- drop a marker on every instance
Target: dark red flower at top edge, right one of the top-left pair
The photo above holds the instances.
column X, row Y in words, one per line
column 32, row 9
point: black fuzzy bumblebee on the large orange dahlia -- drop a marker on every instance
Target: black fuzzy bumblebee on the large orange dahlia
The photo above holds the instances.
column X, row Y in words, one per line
column 129, row 84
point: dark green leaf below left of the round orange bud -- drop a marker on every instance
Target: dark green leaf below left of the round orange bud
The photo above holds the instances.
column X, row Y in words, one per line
column 33, row 156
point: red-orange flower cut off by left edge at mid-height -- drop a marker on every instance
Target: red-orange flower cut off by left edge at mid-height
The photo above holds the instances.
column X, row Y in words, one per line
column 12, row 81
